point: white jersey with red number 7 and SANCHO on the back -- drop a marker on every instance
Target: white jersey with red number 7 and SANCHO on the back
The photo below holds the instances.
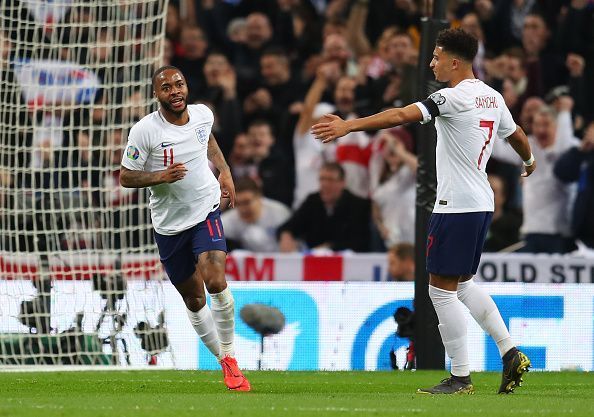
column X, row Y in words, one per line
column 469, row 118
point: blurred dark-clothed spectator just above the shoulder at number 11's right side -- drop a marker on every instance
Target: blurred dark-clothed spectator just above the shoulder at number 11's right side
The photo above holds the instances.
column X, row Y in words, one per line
column 221, row 93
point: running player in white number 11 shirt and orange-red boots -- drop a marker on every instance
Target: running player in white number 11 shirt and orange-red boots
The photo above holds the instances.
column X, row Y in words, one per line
column 168, row 151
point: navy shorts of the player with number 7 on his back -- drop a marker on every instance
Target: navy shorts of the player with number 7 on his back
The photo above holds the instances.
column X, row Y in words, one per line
column 456, row 241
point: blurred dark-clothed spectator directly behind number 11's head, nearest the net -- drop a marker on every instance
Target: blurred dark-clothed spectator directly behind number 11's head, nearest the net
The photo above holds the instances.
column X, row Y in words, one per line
column 194, row 46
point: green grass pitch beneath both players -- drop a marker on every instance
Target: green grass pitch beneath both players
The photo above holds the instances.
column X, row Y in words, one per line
column 201, row 394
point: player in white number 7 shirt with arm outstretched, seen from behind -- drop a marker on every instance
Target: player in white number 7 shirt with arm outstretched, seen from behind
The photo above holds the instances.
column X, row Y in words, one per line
column 468, row 115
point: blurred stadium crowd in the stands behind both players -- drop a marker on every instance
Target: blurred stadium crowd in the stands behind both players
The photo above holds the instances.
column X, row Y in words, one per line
column 269, row 69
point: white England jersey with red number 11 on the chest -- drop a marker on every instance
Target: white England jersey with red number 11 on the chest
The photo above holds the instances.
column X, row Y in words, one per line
column 153, row 145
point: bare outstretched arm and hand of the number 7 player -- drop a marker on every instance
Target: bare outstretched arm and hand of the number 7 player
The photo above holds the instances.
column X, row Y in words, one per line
column 333, row 127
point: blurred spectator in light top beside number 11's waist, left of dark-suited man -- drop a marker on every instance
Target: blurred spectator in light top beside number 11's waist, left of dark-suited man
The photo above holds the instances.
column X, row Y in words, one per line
column 252, row 224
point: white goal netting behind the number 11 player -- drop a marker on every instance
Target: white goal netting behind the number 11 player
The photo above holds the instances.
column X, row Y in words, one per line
column 79, row 280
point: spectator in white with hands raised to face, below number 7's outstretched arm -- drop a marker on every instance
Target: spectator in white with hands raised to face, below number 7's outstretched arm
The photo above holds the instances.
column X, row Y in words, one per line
column 394, row 174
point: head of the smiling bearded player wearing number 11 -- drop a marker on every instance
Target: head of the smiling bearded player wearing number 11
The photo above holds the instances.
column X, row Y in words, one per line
column 171, row 91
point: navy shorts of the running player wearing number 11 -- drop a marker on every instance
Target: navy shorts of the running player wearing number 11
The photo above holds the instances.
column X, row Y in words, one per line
column 179, row 253
